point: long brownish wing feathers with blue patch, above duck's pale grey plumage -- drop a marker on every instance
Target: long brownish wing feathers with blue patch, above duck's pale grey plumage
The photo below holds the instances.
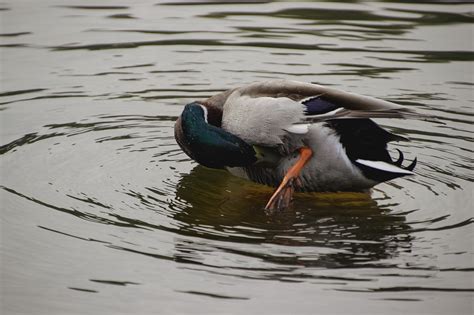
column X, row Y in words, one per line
column 323, row 103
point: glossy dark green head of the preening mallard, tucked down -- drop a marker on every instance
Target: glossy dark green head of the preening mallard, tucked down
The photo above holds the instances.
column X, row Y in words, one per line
column 199, row 136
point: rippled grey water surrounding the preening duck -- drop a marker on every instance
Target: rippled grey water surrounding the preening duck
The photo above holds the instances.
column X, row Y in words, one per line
column 103, row 214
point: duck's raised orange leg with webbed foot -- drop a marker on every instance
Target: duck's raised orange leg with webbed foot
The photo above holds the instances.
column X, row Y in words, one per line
column 281, row 198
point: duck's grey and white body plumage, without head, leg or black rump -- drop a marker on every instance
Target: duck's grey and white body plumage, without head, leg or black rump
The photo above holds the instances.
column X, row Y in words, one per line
column 273, row 114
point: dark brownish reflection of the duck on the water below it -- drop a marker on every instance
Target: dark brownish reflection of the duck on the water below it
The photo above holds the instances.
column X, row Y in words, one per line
column 349, row 227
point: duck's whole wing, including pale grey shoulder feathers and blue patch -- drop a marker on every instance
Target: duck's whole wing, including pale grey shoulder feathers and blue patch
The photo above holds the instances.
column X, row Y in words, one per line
column 262, row 112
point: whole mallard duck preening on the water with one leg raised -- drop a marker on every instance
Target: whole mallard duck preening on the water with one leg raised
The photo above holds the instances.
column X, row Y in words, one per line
column 294, row 136
